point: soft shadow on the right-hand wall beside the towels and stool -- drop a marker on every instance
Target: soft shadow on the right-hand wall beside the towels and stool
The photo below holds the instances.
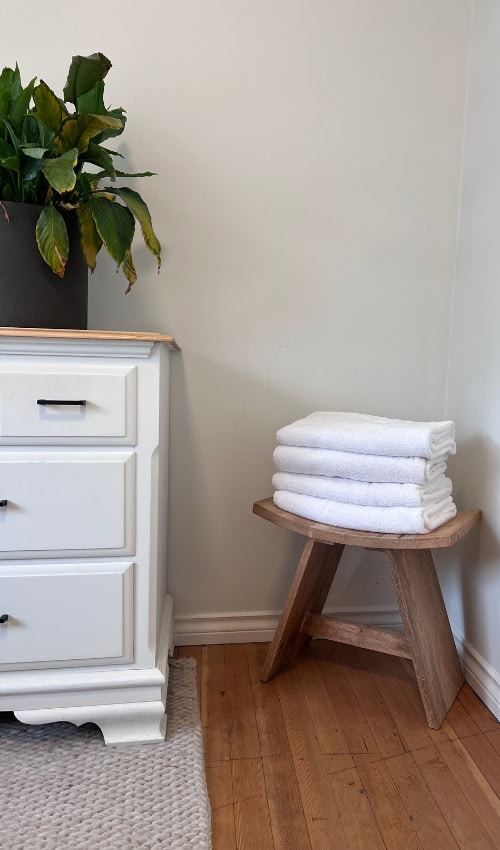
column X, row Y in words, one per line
column 470, row 571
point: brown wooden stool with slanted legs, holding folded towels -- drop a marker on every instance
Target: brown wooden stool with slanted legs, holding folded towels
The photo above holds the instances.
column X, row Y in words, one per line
column 427, row 642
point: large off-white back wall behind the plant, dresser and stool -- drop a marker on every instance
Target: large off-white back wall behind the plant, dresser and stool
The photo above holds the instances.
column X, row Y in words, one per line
column 308, row 159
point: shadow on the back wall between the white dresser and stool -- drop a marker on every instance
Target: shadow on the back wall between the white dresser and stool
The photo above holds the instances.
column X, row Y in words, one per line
column 221, row 556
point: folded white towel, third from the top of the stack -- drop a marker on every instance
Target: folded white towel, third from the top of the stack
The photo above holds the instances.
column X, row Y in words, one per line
column 364, row 493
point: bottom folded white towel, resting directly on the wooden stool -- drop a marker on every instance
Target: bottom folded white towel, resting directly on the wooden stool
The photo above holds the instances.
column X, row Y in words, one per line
column 367, row 517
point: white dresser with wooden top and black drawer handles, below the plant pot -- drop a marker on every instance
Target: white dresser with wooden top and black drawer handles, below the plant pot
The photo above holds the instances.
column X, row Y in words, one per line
column 85, row 618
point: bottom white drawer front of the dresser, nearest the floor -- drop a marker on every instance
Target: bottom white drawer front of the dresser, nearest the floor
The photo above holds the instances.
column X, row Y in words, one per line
column 68, row 612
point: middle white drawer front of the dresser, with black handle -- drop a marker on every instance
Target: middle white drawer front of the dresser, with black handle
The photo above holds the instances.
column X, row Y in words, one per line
column 67, row 501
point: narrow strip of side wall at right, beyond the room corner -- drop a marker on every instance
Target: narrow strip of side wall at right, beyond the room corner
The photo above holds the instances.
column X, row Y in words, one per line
column 471, row 574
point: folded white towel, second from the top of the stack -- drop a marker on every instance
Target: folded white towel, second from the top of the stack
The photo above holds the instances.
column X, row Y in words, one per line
column 360, row 467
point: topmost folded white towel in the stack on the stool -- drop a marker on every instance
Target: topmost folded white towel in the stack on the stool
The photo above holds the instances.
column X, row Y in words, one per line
column 376, row 435
